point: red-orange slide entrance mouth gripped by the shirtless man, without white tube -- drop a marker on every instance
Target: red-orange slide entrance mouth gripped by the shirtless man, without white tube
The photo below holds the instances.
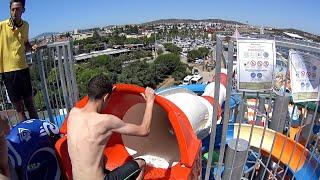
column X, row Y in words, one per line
column 172, row 149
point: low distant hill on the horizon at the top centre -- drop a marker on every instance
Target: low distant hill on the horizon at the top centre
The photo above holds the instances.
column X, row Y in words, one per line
column 177, row 21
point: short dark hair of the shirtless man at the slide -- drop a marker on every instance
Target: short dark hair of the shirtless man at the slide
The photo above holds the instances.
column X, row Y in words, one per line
column 99, row 86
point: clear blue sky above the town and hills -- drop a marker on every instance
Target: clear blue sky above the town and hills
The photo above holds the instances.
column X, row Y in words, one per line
column 64, row 15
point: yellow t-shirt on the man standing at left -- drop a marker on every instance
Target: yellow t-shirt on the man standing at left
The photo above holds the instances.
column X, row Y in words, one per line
column 12, row 46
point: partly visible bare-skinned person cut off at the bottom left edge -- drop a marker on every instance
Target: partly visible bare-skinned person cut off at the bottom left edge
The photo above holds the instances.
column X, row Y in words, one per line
column 4, row 166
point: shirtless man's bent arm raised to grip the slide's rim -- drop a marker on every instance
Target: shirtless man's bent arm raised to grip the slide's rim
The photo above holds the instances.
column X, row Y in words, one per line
column 136, row 130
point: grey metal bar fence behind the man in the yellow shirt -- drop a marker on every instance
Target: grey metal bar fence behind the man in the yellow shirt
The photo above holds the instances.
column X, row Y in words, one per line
column 54, row 83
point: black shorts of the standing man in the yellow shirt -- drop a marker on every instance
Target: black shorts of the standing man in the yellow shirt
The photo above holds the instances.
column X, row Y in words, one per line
column 18, row 84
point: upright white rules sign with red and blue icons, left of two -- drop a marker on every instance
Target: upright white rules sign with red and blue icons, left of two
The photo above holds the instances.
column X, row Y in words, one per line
column 256, row 60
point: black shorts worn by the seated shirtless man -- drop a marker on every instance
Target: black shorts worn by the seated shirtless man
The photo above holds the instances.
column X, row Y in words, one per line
column 130, row 170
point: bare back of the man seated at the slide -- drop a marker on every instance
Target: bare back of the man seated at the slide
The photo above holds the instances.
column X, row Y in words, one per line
column 87, row 138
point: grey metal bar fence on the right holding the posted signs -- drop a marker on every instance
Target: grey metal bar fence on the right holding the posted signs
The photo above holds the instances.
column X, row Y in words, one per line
column 271, row 145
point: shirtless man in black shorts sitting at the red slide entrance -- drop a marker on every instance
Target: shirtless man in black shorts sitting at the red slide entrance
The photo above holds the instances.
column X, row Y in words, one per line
column 89, row 132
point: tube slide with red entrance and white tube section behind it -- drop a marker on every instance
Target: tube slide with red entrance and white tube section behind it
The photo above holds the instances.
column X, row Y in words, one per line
column 172, row 150
